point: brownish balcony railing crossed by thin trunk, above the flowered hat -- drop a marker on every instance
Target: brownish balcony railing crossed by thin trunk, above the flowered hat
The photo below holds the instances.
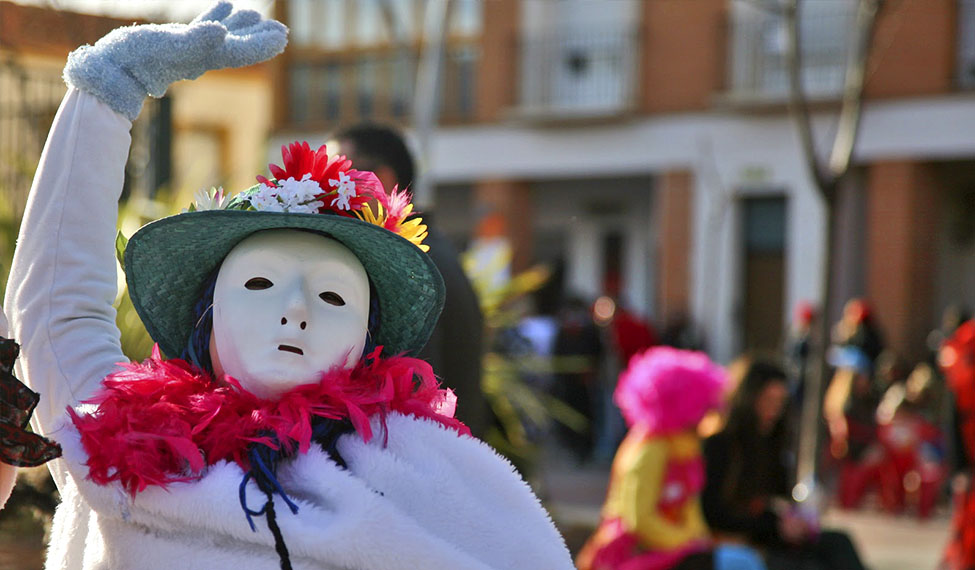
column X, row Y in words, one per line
column 343, row 87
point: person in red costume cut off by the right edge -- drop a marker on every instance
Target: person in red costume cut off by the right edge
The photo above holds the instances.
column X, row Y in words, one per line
column 957, row 360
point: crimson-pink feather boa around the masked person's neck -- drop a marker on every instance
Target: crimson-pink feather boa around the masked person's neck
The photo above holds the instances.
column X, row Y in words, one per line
column 163, row 421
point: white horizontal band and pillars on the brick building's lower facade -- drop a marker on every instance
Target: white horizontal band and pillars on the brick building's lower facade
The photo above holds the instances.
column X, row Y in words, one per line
column 727, row 153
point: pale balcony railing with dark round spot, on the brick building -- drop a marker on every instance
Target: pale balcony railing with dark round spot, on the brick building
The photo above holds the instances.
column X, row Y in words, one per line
column 578, row 73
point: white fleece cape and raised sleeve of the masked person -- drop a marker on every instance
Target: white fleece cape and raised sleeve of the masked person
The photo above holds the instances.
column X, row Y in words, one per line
column 430, row 499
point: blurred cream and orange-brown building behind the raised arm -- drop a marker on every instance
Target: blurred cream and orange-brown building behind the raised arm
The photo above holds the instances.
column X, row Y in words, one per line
column 204, row 133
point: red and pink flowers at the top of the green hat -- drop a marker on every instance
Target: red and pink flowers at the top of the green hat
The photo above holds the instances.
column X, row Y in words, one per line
column 299, row 160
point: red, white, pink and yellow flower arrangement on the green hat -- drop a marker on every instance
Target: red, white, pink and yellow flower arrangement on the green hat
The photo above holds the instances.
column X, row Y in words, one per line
column 314, row 182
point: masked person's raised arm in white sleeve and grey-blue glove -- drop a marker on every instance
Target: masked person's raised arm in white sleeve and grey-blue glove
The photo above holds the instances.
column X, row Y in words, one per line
column 63, row 278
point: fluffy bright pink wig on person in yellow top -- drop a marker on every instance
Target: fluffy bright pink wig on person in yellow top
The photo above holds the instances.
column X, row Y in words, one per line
column 667, row 390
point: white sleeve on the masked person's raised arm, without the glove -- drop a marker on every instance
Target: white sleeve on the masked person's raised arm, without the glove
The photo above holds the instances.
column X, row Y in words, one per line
column 63, row 279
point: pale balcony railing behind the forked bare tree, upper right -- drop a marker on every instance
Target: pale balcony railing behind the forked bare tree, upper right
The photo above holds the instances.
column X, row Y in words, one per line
column 758, row 68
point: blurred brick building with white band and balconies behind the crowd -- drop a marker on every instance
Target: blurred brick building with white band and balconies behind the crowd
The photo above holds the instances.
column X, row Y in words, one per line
column 647, row 146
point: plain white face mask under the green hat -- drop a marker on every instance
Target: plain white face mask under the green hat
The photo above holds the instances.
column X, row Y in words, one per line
column 287, row 305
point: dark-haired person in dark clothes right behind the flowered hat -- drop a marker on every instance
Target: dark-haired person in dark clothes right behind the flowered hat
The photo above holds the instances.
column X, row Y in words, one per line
column 456, row 347
